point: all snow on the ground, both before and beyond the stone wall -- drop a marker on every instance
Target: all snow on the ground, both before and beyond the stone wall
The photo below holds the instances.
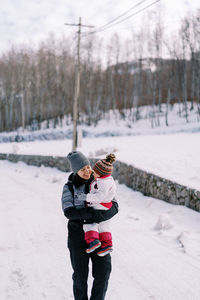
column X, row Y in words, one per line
column 156, row 244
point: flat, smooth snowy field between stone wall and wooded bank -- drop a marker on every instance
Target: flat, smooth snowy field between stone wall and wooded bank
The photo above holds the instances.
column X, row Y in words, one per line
column 172, row 156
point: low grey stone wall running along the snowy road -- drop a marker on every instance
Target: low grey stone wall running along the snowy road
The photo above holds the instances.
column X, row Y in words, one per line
column 139, row 180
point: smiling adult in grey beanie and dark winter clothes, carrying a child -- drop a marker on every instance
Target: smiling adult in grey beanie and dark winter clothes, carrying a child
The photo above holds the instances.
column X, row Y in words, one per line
column 78, row 213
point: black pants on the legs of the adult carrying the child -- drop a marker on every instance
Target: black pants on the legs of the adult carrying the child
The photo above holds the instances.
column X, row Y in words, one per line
column 101, row 268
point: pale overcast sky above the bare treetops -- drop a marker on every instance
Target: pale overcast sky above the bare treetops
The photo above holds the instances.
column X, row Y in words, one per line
column 30, row 21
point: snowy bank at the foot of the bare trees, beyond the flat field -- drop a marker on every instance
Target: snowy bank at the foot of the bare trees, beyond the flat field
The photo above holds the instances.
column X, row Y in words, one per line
column 115, row 124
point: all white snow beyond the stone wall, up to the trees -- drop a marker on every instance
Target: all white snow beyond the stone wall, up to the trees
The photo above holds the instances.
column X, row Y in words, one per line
column 170, row 151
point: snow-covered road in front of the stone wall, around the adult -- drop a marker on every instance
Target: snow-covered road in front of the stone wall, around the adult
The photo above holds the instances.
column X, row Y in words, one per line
column 156, row 244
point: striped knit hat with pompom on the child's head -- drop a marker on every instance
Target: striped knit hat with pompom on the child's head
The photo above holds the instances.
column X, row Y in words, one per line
column 104, row 167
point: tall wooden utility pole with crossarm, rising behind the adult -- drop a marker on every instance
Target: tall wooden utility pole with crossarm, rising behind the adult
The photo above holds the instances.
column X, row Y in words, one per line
column 77, row 83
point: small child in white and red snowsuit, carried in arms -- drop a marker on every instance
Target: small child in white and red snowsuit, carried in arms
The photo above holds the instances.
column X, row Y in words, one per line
column 102, row 192
